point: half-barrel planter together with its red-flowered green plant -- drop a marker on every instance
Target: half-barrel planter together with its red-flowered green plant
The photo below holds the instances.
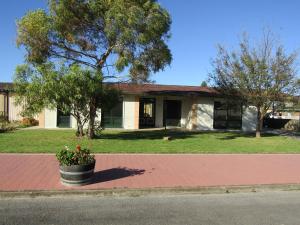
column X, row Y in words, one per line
column 76, row 166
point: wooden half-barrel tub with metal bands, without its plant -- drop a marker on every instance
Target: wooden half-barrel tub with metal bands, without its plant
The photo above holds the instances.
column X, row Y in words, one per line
column 77, row 175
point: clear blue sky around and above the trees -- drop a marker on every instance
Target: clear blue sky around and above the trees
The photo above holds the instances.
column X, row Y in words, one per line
column 197, row 27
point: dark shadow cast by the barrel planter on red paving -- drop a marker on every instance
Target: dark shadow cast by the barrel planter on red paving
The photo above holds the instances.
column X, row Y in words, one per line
column 115, row 173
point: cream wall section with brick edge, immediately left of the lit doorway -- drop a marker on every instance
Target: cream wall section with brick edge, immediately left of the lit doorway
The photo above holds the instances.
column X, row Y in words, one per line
column 130, row 112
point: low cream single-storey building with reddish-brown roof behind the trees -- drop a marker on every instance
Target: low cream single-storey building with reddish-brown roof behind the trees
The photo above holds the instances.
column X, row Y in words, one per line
column 157, row 106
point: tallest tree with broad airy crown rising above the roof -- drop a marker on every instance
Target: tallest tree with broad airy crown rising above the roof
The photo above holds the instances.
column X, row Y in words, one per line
column 109, row 36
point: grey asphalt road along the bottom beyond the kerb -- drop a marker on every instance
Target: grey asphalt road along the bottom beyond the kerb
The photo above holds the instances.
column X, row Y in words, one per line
column 272, row 208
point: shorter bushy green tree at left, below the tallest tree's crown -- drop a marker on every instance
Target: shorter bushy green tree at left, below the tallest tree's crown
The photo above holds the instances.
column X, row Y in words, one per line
column 67, row 88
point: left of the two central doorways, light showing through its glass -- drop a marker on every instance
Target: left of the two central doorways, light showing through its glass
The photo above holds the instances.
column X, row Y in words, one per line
column 147, row 113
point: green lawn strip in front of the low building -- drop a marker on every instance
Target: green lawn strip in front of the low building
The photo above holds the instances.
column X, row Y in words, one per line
column 49, row 141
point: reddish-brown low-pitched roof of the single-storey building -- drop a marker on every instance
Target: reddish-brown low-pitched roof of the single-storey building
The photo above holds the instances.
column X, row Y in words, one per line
column 150, row 89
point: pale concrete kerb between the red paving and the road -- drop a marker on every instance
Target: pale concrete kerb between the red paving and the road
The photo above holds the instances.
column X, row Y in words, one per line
column 124, row 192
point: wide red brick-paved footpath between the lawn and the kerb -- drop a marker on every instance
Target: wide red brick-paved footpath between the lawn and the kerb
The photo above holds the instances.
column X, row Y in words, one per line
column 40, row 171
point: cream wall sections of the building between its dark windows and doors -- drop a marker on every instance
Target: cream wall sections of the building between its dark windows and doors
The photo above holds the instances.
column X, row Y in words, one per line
column 196, row 113
